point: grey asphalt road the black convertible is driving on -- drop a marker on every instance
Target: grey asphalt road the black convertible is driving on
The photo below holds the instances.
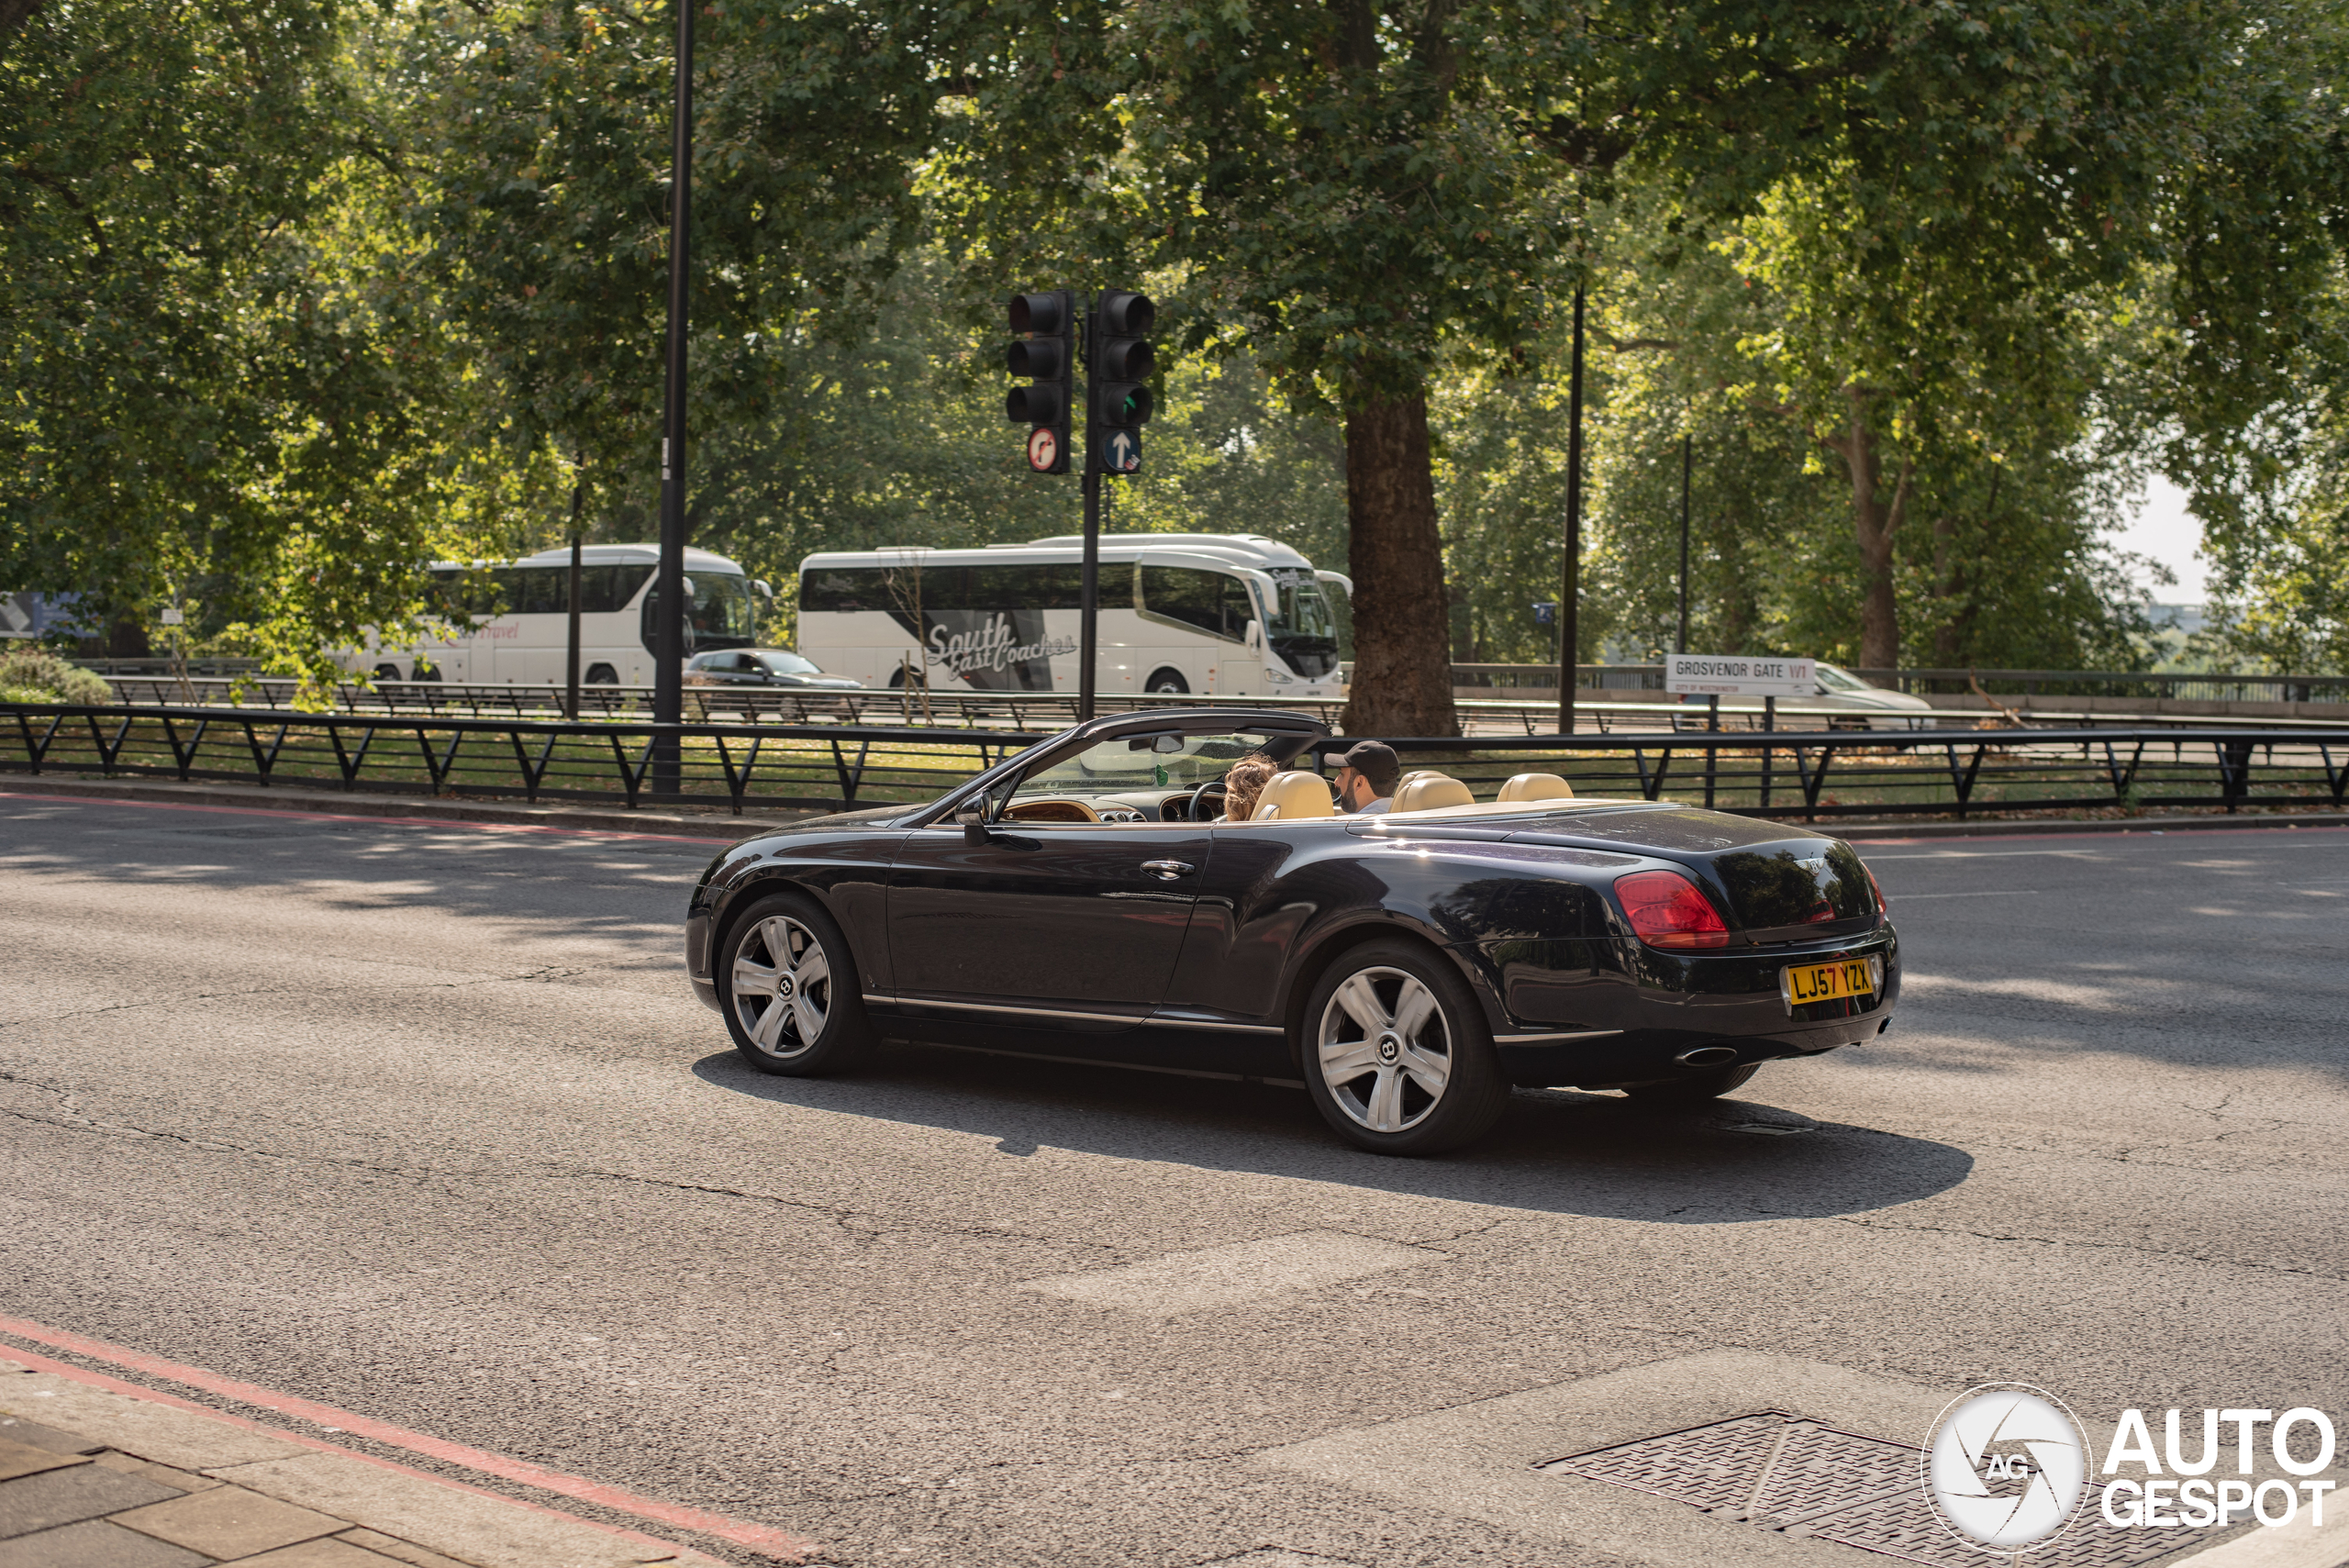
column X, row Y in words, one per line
column 424, row 1123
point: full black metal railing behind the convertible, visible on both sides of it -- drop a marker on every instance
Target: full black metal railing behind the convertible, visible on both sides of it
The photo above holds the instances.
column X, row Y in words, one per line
column 1789, row 773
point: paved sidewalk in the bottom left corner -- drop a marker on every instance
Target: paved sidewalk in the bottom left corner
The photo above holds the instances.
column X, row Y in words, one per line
column 105, row 1480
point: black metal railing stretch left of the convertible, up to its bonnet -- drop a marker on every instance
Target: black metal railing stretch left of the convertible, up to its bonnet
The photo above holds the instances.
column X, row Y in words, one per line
column 734, row 766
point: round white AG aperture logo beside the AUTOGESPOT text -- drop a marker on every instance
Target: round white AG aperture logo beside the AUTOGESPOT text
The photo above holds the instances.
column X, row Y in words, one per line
column 2007, row 1466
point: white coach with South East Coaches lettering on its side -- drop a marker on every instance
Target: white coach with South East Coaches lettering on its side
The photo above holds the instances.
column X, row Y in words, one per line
column 1204, row 614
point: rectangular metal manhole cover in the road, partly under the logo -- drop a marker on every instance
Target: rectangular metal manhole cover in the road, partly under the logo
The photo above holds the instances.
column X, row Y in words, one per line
column 1793, row 1475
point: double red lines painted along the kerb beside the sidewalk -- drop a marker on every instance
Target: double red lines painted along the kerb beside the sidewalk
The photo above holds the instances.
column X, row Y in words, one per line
column 755, row 1536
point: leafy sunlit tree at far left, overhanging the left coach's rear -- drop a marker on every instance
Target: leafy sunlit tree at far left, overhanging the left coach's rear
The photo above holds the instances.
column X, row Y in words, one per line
column 222, row 379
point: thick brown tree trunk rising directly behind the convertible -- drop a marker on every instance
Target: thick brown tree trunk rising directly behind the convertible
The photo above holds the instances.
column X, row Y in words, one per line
column 1401, row 619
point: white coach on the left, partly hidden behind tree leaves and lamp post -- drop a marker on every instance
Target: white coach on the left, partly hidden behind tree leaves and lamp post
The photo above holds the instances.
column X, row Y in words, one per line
column 513, row 619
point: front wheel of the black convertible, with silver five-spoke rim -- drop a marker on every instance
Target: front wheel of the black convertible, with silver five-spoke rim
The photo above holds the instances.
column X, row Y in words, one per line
column 790, row 992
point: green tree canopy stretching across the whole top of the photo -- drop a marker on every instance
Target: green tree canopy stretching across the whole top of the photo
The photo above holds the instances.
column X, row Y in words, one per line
column 309, row 295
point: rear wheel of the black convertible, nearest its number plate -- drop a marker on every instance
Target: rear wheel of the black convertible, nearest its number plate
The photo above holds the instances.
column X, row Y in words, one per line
column 1396, row 1053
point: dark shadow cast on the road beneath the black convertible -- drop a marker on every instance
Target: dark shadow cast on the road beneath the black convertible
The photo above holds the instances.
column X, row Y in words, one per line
column 1556, row 1151
